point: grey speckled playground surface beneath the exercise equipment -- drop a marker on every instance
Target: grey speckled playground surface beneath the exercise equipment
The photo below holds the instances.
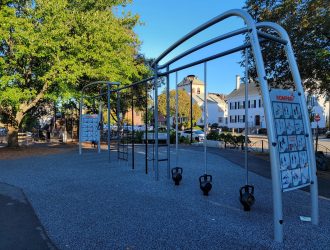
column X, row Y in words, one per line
column 84, row 202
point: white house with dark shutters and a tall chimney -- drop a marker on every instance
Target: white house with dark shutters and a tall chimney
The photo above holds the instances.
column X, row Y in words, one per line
column 236, row 107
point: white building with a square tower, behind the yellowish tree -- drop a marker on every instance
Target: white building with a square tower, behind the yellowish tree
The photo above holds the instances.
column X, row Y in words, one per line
column 217, row 107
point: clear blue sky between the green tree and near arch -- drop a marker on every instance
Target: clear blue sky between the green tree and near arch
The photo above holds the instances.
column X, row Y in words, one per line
column 166, row 21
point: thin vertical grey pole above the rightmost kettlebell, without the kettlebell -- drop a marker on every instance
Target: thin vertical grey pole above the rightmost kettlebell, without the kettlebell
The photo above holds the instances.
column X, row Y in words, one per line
column 246, row 115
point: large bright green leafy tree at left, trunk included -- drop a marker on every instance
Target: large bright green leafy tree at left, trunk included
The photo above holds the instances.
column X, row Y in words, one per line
column 51, row 48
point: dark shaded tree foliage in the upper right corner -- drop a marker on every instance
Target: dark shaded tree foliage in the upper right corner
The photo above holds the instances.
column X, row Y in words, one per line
column 308, row 24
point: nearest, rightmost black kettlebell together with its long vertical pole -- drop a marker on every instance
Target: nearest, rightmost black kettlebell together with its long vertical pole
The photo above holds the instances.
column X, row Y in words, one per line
column 247, row 197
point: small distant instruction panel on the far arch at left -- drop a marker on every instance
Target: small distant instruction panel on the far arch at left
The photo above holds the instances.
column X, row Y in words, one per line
column 90, row 128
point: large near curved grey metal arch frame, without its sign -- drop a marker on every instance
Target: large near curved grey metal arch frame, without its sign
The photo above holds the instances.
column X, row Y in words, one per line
column 254, row 43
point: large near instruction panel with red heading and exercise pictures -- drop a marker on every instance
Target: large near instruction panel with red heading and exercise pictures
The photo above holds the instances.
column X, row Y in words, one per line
column 290, row 131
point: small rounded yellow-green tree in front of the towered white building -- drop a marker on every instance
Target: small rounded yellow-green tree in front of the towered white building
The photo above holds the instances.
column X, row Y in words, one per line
column 183, row 105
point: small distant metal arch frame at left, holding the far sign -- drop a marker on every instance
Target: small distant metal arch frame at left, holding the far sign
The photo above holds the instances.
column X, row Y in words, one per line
column 108, row 84
